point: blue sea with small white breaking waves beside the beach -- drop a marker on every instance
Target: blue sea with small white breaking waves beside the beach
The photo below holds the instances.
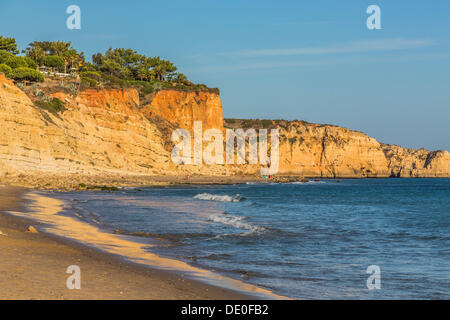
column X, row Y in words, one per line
column 304, row 240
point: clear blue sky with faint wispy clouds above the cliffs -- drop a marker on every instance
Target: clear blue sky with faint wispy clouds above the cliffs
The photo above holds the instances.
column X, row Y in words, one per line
column 308, row 60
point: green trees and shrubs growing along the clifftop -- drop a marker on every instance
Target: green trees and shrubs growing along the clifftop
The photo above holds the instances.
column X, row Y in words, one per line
column 116, row 68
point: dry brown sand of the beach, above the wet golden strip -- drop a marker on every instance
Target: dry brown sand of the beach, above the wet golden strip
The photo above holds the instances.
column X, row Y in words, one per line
column 33, row 266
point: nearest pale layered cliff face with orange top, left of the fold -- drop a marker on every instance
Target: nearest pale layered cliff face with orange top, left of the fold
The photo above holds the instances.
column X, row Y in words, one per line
column 99, row 132
